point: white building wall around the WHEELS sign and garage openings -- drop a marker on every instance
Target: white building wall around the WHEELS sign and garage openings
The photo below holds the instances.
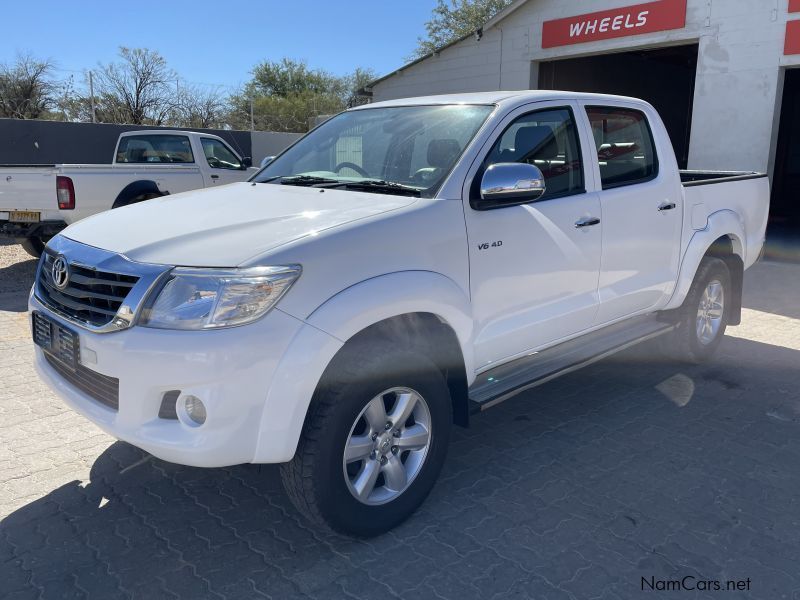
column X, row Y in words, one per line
column 738, row 71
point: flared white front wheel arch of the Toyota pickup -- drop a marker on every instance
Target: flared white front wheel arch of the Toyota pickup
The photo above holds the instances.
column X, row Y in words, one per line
column 409, row 305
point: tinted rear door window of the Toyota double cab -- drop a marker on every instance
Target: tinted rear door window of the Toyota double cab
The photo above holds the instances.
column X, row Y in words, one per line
column 625, row 148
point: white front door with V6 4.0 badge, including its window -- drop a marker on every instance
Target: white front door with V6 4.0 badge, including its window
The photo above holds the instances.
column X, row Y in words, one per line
column 534, row 268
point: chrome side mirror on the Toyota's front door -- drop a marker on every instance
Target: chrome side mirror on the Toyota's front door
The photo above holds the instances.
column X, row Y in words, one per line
column 509, row 184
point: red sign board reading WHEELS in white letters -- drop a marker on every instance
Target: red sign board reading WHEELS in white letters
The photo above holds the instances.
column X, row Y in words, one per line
column 620, row 22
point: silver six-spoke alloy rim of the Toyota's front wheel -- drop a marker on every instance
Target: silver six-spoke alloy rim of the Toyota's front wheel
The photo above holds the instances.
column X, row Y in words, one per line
column 387, row 446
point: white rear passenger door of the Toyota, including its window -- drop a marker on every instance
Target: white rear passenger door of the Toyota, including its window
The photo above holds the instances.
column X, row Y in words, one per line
column 642, row 209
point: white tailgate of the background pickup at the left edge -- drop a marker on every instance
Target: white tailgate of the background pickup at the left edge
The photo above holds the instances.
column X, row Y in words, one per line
column 24, row 188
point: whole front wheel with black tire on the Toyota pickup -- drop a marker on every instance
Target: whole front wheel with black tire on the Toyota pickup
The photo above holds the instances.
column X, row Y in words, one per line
column 373, row 444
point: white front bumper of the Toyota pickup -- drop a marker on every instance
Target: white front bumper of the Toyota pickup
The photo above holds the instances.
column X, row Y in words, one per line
column 230, row 370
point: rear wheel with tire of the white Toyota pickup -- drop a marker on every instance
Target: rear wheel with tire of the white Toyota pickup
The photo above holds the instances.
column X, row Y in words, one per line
column 703, row 317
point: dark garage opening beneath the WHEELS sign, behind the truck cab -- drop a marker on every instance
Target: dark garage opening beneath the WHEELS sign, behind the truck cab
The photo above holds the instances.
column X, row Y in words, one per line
column 663, row 77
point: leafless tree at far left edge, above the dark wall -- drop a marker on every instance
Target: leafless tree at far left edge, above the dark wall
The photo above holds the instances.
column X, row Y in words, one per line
column 26, row 88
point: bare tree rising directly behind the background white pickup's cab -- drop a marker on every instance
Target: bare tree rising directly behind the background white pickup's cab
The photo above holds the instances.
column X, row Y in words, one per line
column 140, row 89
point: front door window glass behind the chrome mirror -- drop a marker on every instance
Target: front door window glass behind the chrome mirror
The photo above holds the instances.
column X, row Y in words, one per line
column 549, row 140
